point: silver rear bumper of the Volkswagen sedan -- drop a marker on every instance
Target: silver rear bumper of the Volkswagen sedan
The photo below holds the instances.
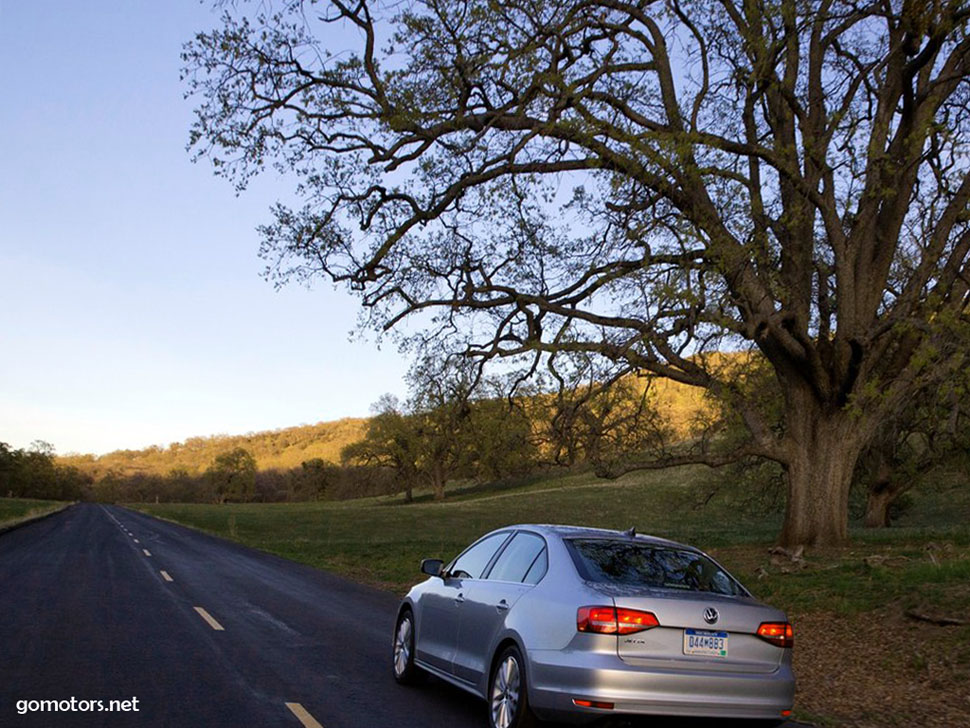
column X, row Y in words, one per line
column 557, row 678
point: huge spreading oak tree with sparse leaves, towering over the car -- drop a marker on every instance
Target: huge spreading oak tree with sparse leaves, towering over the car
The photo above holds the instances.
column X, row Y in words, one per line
column 639, row 181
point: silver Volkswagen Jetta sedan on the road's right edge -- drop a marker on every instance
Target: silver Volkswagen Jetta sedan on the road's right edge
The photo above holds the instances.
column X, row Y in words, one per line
column 575, row 624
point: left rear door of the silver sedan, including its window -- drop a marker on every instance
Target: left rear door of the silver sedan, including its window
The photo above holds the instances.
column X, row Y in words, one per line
column 489, row 600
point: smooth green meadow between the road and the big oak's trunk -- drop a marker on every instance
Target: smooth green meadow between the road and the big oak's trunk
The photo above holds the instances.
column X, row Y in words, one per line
column 381, row 541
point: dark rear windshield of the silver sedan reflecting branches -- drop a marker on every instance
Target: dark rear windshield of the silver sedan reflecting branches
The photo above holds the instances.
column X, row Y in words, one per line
column 633, row 563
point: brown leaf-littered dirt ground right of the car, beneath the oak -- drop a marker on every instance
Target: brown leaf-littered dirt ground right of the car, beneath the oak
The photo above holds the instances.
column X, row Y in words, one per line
column 874, row 667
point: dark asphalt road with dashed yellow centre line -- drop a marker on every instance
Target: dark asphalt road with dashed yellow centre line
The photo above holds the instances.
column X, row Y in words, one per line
column 99, row 603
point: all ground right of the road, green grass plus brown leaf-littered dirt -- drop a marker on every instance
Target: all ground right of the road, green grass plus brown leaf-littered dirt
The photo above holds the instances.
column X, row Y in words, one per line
column 849, row 605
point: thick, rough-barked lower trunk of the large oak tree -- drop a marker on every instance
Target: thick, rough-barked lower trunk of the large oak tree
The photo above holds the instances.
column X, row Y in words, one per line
column 823, row 447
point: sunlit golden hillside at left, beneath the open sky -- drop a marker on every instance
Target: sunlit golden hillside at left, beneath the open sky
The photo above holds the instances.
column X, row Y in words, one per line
column 285, row 448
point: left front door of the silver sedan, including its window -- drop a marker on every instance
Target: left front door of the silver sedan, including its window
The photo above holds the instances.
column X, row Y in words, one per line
column 442, row 601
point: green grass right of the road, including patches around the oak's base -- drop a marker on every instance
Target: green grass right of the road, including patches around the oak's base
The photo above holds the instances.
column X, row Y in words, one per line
column 381, row 540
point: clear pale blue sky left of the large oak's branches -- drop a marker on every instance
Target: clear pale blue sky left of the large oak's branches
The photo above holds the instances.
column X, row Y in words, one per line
column 131, row 307
